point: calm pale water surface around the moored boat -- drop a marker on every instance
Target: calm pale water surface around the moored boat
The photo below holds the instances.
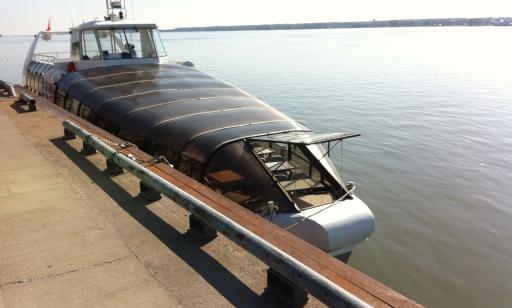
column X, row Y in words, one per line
column 434, row 162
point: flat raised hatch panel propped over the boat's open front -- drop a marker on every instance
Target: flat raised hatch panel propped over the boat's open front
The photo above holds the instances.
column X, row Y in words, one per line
column 306, row 138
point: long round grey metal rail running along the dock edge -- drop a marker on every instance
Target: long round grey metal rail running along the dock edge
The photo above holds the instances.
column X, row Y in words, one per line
column 287, row 266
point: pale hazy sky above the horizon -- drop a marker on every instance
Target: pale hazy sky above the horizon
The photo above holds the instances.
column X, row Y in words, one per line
column 31, row 16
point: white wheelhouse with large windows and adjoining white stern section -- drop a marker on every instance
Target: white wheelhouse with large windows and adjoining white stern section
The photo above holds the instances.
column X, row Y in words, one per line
column 90, row 45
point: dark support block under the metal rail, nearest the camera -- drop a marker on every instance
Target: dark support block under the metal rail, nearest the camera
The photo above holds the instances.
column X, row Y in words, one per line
column 284, row 290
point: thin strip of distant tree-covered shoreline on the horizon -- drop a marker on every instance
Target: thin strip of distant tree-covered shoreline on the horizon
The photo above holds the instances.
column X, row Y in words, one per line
column 431, row 22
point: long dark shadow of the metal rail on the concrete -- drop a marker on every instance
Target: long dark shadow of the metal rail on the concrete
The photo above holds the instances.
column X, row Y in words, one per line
column 187, row 246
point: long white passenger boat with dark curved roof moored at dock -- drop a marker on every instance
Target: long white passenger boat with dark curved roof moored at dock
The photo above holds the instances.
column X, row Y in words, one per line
column 117, row 75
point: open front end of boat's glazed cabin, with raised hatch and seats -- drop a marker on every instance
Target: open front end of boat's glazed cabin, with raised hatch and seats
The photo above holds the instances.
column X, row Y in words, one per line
column 293, row 173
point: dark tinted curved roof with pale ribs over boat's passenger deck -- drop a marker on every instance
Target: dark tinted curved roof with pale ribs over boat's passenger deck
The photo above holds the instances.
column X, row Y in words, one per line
column 174, row 106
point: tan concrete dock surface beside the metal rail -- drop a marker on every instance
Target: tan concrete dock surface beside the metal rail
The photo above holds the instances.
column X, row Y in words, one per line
column 73, row 236
